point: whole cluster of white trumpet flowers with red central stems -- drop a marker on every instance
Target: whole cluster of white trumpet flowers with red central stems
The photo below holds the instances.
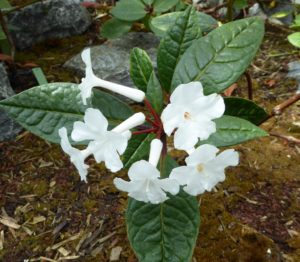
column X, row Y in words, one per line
column 189, row 115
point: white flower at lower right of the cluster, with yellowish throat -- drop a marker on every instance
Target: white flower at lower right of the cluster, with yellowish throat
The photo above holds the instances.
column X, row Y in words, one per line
column 204, row 169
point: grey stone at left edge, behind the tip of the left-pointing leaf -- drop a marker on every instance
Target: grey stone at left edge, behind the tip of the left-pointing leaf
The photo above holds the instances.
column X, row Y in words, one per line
column 8, row 128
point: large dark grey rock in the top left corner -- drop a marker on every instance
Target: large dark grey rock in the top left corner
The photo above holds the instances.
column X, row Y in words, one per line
column 49, row 19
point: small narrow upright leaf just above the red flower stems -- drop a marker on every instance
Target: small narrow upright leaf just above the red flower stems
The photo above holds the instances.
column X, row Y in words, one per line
column 154, row 93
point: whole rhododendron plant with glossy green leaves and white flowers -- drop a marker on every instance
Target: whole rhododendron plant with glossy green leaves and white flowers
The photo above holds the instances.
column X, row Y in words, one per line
column 182, row 108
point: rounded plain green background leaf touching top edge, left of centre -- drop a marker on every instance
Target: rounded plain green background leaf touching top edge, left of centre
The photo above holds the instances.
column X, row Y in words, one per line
column 129, row 10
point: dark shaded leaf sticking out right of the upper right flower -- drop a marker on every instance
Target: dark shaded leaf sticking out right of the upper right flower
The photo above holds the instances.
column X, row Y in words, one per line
column 245, row 109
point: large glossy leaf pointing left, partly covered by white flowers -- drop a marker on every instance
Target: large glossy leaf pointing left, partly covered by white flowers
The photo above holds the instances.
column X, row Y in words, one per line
column 44, row 109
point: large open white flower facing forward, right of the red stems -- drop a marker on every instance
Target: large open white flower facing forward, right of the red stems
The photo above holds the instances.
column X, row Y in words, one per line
column 191, row 112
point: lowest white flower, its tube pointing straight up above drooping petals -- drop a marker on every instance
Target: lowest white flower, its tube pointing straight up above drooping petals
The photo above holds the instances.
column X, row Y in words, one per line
column 145, row 183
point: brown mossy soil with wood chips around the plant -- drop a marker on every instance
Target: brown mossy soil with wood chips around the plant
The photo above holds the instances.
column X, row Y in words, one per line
column 47, row 214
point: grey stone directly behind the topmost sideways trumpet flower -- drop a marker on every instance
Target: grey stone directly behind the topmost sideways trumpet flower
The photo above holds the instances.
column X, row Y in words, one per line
column 111, row 60
